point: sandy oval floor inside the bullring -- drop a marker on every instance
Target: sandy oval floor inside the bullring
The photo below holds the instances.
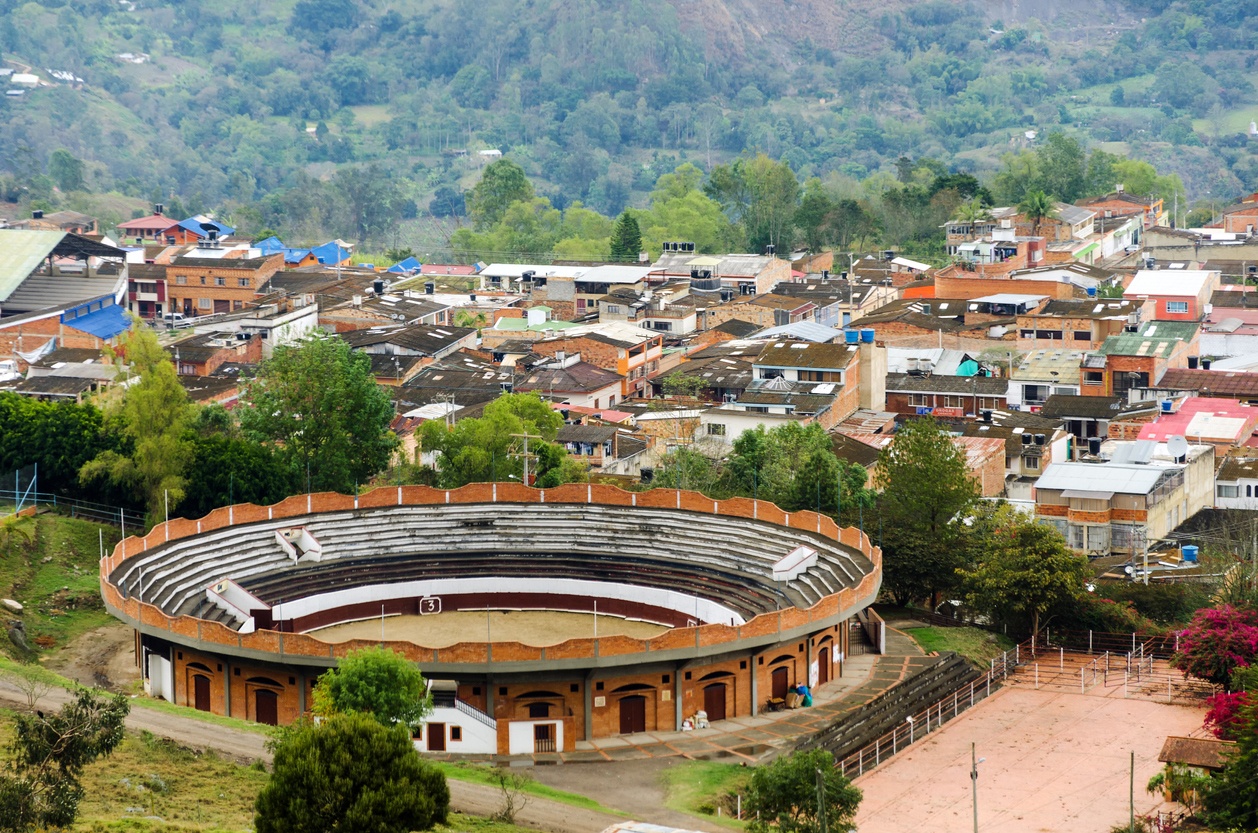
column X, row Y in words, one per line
column 537, row 629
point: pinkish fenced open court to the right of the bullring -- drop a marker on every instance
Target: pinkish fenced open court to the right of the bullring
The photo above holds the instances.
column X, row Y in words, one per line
column 1056, row 762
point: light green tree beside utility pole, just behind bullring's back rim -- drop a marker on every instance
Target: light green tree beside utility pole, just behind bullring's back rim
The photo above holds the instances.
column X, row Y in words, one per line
column 490, row 447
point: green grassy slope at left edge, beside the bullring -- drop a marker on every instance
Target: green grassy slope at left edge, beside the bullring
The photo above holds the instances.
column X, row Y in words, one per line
column 55, row 577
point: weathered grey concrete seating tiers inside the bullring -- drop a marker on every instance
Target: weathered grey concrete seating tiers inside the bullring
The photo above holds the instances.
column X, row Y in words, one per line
column 720, row 558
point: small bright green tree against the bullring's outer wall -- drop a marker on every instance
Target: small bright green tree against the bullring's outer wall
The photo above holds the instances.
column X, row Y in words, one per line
column 376, row 681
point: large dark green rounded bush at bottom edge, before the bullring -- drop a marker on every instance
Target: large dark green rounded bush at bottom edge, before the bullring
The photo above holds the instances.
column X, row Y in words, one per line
column 353, row 774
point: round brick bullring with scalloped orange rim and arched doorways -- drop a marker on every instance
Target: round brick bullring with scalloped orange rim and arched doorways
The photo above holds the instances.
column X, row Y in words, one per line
column 542, row 617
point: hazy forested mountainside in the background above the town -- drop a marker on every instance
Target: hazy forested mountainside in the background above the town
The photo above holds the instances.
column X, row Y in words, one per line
column 295, row 115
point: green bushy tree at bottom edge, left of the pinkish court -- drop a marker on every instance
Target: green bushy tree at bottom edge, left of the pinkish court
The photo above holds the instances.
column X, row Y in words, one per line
column 802, row 793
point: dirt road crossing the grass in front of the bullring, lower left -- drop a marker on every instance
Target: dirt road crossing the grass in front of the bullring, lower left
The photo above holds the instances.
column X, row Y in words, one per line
column 245, row 747
